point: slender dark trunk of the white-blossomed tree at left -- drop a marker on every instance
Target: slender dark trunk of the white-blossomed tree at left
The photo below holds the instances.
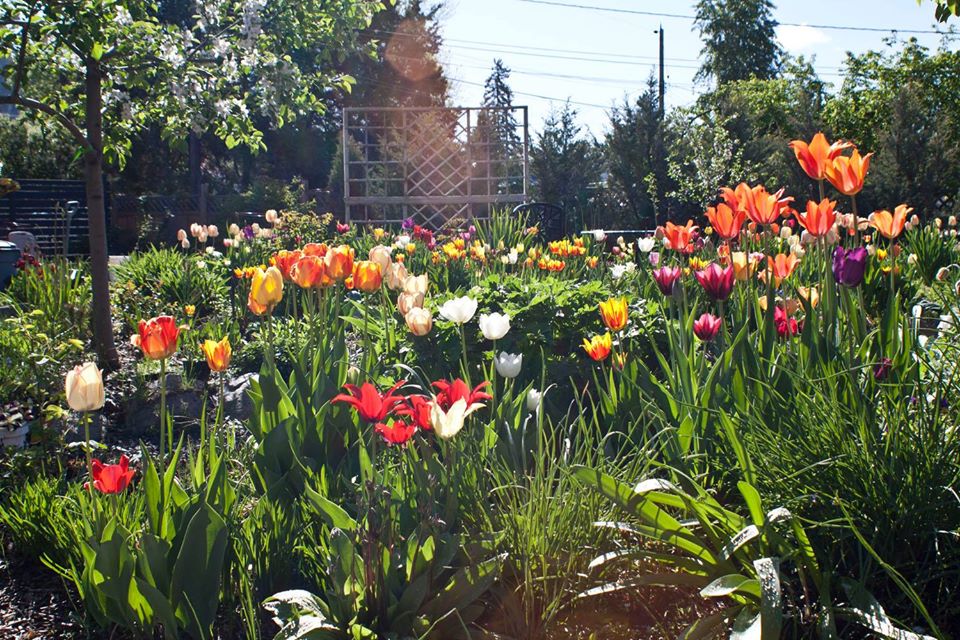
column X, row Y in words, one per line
column 99, row 263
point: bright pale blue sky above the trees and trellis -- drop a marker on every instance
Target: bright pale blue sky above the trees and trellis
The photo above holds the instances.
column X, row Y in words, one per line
column 595, row 58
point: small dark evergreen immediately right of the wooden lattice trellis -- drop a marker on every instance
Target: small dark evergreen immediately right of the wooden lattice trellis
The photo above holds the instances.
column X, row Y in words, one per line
column 564, row 164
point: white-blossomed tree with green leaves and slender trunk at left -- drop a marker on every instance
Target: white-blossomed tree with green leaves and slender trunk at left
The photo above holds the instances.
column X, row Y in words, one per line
column 105, row 68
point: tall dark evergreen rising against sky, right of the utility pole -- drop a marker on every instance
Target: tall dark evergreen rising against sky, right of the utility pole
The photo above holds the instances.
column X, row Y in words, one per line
column 739, row 41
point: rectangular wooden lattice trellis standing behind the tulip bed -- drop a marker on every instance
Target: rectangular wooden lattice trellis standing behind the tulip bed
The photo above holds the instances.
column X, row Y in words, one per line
column 438, row 166
